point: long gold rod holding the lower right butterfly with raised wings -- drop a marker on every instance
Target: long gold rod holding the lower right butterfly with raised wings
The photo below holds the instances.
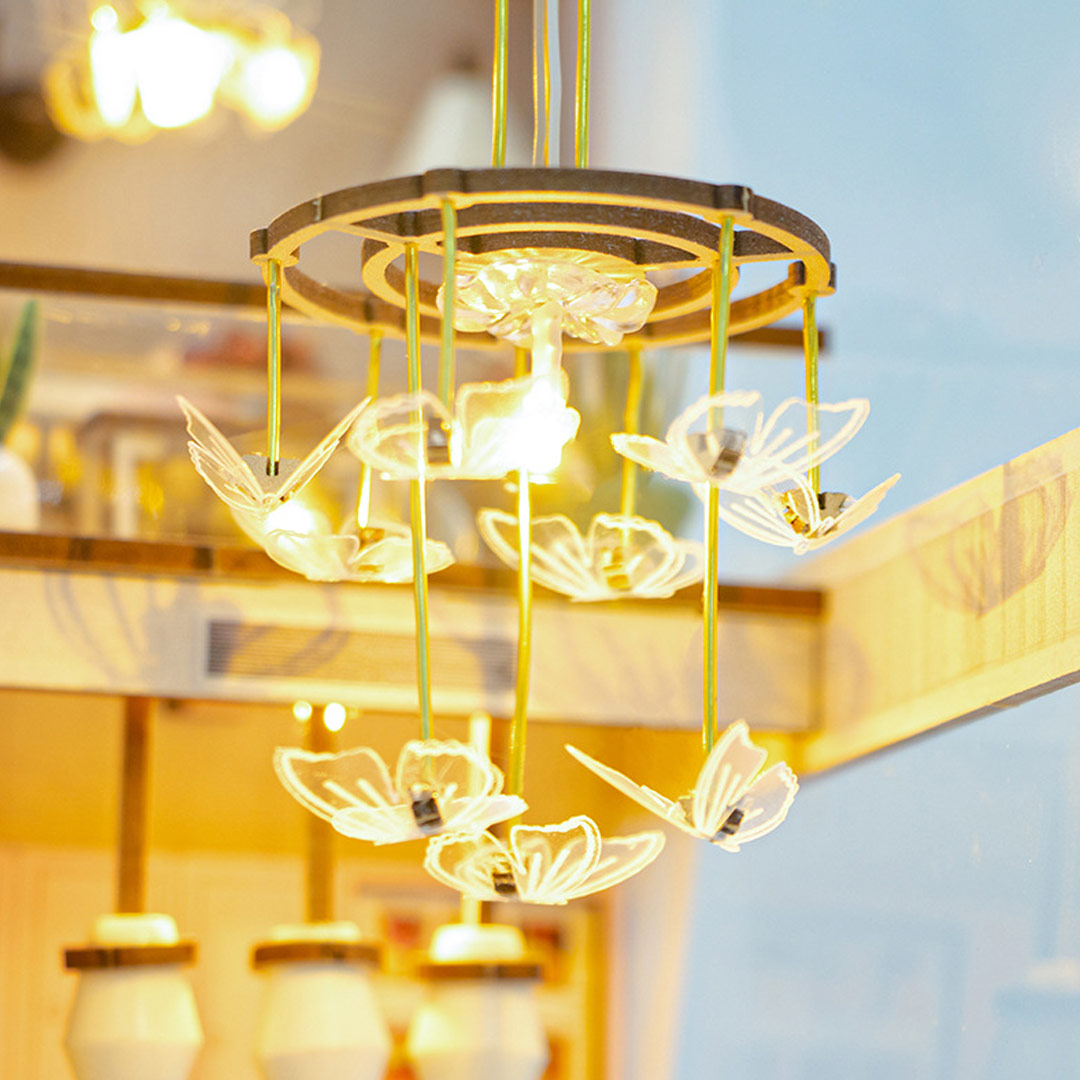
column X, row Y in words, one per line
column 718, row 362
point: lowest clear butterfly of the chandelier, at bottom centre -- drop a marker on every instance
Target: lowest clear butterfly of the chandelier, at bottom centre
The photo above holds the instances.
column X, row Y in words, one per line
column 550, row 865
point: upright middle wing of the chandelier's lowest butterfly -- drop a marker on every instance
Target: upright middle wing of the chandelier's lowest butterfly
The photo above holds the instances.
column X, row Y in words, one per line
column 555, row 861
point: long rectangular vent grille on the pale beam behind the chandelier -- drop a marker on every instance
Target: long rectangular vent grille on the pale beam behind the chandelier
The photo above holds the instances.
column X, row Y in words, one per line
column 283, row 653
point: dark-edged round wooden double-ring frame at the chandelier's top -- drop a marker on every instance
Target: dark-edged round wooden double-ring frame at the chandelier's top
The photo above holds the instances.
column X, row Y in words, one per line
column 654, row 223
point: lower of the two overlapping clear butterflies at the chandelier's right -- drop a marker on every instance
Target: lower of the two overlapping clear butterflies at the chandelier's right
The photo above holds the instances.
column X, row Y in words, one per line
column 799, row 518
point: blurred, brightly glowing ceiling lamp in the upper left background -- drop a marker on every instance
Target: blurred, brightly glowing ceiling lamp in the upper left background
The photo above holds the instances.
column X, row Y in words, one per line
column 159, row 70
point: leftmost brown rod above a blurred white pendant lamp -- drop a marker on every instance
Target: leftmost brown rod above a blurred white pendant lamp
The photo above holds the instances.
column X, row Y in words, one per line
column 134, row 806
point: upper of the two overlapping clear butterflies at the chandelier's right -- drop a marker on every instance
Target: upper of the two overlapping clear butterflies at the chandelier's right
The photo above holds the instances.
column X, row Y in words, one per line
column 727, row 441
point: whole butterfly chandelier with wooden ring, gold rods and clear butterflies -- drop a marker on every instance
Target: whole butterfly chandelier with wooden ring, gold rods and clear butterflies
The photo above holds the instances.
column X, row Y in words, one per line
column 544, row 260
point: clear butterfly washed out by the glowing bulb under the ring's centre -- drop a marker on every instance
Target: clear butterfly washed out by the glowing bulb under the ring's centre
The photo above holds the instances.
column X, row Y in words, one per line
column 497, row 428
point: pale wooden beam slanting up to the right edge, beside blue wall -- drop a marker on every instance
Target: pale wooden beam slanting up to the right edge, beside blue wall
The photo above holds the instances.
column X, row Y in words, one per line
column 963, row 606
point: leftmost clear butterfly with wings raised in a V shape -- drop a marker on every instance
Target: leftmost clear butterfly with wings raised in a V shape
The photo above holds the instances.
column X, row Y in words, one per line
column 242, row 482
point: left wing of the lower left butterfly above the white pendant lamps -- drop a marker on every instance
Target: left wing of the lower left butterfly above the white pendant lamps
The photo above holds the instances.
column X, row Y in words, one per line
column 327, row 784
